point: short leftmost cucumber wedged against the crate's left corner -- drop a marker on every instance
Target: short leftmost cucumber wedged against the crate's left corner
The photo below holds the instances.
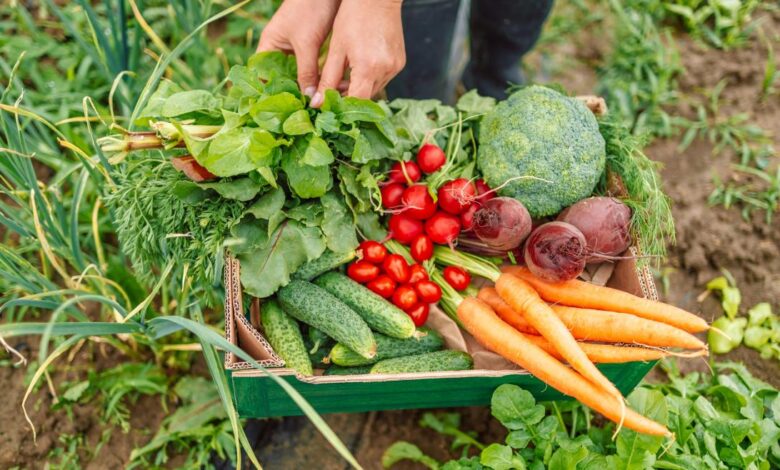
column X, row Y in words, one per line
column 285, row 337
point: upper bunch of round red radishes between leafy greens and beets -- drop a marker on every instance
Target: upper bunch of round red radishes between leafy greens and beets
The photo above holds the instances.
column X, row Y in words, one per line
column 419, row 221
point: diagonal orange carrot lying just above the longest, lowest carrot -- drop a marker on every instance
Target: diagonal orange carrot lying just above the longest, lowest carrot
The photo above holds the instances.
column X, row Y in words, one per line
column 519, row 295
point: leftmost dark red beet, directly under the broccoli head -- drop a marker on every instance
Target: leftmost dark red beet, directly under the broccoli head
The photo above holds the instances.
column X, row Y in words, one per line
column 502, row 223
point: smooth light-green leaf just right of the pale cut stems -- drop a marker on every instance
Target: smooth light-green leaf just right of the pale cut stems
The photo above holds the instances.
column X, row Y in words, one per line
column 229, row 152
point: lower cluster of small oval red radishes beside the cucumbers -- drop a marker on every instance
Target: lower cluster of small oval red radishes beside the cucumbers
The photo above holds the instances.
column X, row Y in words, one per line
column 391, row 277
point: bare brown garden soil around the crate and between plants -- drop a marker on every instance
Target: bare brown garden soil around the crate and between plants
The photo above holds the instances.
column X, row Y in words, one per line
column 710, row 239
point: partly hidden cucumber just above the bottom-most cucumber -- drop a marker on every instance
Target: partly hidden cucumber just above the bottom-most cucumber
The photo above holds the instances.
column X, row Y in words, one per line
column 426, row 340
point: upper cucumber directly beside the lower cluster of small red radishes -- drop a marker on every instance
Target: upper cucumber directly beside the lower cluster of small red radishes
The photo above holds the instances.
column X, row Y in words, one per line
column 381, row 315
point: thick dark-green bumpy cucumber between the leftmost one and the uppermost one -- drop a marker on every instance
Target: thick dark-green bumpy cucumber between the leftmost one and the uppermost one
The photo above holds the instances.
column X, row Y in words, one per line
column 318, row 308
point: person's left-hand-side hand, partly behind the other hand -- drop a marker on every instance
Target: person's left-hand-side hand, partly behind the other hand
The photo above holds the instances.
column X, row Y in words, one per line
column 300, row 27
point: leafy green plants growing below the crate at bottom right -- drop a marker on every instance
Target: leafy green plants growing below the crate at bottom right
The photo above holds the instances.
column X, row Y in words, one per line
column 727, row 420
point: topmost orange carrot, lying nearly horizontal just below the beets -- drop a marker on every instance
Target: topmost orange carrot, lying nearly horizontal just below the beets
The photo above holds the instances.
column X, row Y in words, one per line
column 582, row 294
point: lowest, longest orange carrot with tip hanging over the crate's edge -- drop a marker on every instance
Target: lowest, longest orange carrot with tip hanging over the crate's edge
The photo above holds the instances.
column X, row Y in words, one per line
column 480, row 320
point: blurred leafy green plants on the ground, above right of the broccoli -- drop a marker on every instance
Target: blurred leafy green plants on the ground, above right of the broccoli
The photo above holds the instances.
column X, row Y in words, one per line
column 639, row 76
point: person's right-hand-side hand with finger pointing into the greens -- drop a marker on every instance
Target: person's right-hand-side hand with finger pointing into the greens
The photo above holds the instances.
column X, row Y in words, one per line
column 368, row 39
